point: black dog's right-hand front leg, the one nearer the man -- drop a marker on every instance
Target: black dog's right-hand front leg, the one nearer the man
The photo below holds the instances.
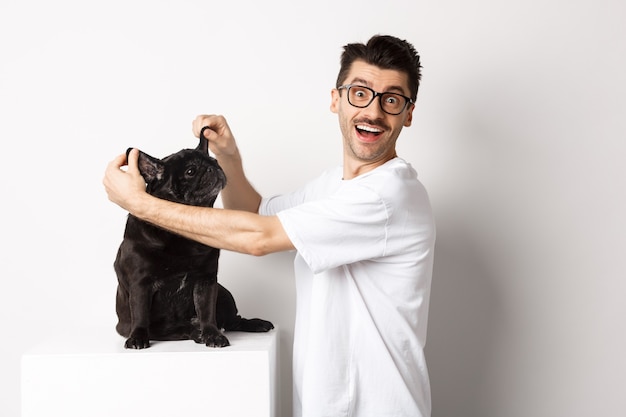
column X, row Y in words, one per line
column 205, row 301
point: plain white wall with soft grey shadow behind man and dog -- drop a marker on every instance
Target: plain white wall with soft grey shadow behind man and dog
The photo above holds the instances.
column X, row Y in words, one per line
column 519, row 135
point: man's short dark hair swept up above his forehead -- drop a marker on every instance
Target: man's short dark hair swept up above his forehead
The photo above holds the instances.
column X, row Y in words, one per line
column 386, row 52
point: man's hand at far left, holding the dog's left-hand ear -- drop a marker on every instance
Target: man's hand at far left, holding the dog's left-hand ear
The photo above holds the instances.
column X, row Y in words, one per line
column 127, row 187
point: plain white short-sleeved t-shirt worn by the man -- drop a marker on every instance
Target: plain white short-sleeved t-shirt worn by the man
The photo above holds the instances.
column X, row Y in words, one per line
column 363, row 276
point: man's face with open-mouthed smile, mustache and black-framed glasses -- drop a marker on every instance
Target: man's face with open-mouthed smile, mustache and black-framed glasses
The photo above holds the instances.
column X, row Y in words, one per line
column 370, row 134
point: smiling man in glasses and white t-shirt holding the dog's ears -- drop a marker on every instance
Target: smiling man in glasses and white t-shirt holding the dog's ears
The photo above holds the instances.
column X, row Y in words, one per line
column 364, row 235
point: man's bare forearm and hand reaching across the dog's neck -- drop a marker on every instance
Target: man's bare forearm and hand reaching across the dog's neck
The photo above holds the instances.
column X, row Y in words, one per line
column 234, row 230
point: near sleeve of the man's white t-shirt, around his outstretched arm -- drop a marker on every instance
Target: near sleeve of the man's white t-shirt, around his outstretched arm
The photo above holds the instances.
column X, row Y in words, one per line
column 347, row 227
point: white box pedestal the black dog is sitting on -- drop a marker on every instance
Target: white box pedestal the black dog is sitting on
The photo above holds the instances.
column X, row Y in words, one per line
column 90, row 374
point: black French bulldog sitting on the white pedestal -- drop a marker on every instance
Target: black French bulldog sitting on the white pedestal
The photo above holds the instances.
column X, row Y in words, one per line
column 167, row 284
